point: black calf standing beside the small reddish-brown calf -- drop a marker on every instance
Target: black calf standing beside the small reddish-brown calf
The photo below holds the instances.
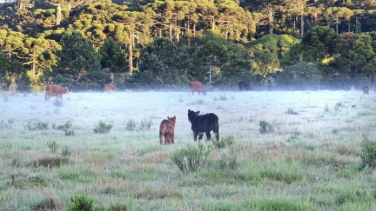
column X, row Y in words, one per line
column 203, row 124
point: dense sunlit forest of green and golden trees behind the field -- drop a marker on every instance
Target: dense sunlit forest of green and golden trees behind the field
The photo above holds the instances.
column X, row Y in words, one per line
column 274, row 44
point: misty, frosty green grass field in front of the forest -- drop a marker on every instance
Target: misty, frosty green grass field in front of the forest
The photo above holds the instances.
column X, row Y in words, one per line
column 287, row 151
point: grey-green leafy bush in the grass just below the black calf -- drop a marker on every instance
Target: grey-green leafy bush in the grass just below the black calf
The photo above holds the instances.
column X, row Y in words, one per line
column 192, row 157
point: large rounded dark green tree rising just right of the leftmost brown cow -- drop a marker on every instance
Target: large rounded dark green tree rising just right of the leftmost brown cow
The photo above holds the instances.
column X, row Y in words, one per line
column 79, row 64
